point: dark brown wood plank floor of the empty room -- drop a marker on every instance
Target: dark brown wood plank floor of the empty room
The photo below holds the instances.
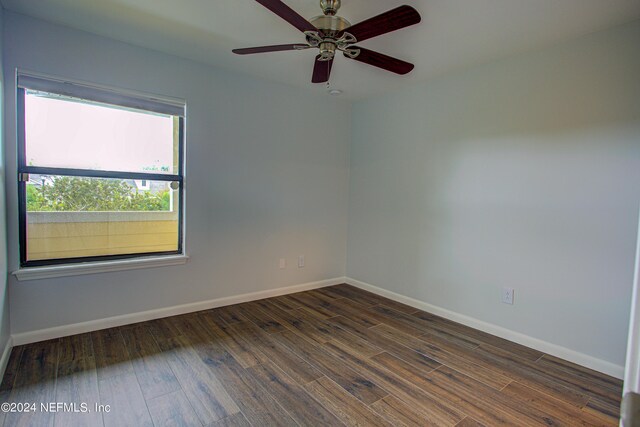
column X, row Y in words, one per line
column 332, row 356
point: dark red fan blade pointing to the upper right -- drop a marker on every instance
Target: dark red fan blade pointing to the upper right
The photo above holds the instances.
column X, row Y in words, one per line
column 387, row 22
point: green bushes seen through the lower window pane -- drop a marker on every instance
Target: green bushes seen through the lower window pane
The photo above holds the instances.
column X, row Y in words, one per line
column 74, row 194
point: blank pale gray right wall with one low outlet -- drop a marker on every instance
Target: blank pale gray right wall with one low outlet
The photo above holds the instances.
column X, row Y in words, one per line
column 522, row 173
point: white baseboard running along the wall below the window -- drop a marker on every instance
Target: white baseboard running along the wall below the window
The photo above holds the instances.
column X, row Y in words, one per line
column 126, row 319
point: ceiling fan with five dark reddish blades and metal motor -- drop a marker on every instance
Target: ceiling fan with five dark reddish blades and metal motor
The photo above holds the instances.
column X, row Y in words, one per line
column 330, row 33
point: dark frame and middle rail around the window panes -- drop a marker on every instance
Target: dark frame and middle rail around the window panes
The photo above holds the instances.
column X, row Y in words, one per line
column 22, row 199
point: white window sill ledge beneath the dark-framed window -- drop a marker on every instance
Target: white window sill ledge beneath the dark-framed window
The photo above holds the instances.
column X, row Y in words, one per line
column 49, row 272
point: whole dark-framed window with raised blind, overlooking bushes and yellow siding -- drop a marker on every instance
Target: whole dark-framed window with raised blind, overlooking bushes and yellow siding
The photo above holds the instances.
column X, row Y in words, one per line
column 100, row 174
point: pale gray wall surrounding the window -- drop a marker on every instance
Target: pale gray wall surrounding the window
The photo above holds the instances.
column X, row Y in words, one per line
column 262, row 181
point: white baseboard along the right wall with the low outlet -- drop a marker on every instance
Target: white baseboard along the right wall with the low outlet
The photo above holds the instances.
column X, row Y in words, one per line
column 535, row 343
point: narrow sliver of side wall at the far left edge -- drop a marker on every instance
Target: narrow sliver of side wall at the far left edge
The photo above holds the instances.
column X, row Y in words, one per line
column 4, row 294
